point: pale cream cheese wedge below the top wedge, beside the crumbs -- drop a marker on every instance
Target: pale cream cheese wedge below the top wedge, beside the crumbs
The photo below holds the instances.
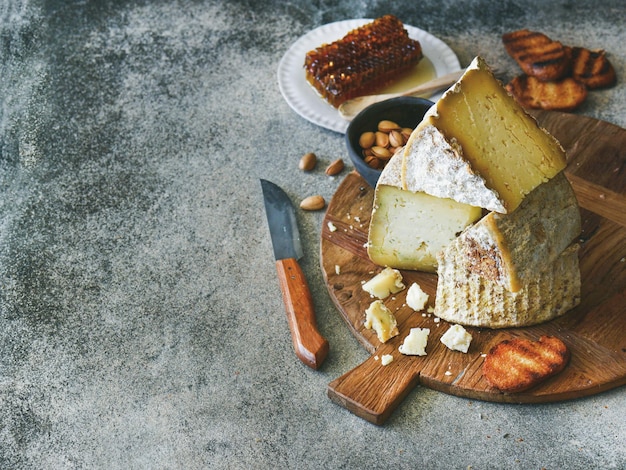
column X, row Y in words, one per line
column 408, row 229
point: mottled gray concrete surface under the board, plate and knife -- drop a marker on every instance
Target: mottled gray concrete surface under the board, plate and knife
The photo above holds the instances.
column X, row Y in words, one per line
column 141, row 324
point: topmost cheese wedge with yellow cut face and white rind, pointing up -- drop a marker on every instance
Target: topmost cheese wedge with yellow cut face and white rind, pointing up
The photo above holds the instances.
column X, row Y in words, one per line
column 478, row 146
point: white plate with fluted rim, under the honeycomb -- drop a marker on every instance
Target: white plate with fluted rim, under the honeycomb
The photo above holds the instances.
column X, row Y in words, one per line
column 305, row 101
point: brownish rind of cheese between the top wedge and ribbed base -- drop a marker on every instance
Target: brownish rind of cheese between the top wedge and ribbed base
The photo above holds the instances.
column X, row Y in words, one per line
column 509, row 249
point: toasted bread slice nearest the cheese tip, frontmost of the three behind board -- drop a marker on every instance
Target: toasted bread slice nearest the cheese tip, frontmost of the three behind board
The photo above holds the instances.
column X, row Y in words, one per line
column 563, row 95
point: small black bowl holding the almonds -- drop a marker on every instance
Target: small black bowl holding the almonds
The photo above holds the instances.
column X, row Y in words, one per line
column 407, row 111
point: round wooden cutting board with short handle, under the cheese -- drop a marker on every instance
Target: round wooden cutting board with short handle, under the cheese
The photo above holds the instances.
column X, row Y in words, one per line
column 595, row 331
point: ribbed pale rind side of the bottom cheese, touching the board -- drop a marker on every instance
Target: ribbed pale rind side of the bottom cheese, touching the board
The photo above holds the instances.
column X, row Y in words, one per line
column 468, row 299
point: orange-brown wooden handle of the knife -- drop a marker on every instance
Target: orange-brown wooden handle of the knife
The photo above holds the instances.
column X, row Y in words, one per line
column 310, row 346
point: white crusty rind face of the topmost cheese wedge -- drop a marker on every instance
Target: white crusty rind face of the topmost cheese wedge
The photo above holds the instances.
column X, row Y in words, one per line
column 436, row 166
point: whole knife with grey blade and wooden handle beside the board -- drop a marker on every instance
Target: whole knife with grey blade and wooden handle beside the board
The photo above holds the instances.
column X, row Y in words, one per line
column 310, row 346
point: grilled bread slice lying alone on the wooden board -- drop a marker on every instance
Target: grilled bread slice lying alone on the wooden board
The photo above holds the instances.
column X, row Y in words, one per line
column 519, row 364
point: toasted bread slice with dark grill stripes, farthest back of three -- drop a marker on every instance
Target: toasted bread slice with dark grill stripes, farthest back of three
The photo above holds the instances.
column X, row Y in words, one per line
column 537, row 54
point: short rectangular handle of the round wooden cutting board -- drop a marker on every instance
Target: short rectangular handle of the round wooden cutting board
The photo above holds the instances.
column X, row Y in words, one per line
column 373, row 391
